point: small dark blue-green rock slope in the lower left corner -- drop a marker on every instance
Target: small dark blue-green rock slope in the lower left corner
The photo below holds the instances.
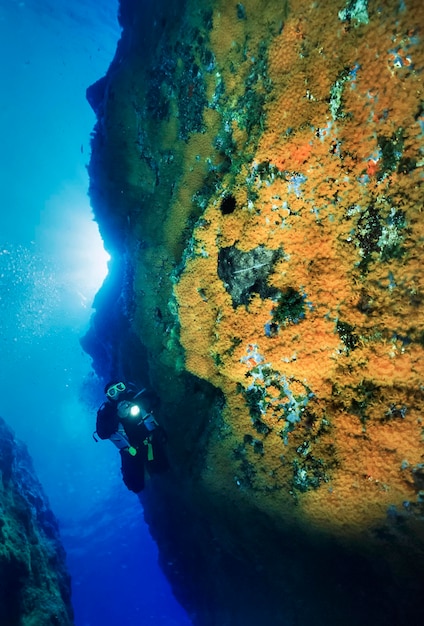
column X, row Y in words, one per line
column 34, row 584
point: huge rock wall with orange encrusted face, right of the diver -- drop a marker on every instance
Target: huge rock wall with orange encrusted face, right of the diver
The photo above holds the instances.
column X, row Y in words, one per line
column 257, row 176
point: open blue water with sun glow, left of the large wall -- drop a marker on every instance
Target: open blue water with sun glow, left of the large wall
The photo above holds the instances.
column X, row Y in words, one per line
column 51, row 264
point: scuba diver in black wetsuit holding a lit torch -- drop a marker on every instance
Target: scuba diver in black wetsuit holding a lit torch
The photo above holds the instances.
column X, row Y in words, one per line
column 134, row 431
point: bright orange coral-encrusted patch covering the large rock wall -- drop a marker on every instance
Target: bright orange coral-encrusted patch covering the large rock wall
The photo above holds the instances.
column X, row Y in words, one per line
column 334, row 396
